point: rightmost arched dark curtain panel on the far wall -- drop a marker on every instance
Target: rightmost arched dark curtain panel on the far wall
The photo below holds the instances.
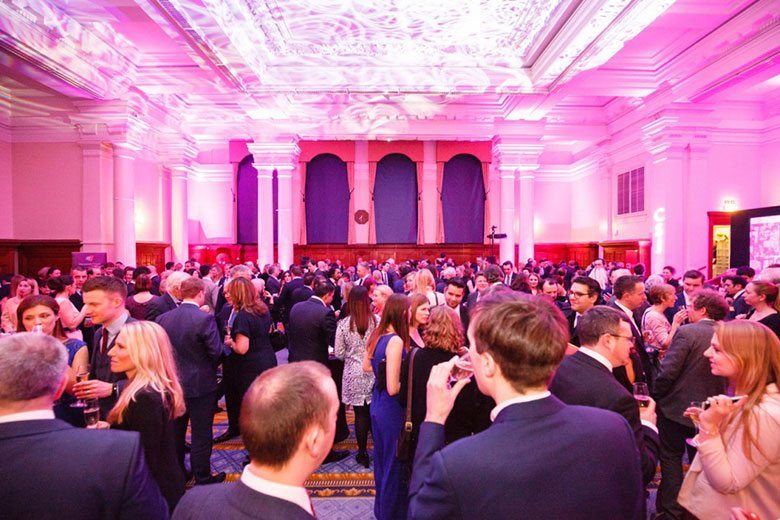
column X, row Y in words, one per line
column 463, row 200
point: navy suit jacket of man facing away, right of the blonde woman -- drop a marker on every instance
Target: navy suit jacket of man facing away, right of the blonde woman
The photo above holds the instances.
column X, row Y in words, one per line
column 196, row 345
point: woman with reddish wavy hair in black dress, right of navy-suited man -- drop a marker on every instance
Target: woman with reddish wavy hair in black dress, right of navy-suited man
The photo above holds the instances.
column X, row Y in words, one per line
column 248, row 336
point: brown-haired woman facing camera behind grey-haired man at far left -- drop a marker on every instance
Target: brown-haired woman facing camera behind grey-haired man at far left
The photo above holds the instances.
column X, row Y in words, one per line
column 44, row 312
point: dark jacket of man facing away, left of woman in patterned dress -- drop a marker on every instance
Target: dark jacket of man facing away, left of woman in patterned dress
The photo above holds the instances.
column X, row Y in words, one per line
column 311, row 329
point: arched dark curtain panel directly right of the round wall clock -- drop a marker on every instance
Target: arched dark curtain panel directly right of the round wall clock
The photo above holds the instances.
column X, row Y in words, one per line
column 395, row 200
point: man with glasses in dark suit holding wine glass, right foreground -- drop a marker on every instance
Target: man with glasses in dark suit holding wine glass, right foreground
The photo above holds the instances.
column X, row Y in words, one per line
column 585, row 378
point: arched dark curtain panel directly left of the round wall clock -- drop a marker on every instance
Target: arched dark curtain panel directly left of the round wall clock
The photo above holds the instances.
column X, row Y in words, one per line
column 327, row 200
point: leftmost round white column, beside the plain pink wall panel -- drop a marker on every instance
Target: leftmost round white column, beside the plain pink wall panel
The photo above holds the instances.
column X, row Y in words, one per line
column 124, row 204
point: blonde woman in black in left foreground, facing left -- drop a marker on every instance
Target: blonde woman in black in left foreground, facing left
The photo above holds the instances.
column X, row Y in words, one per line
column 151, row 401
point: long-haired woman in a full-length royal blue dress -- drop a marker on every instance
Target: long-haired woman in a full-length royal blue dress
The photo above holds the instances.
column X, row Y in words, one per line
column 385, row 351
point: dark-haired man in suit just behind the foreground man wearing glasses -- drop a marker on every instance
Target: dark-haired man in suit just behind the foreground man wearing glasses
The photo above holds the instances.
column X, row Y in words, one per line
column 629, row 295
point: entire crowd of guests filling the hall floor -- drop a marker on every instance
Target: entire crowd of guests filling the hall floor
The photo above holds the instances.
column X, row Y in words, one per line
column 603, row 372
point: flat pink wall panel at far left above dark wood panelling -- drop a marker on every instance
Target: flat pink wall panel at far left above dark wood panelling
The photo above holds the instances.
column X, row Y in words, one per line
column 47, row 191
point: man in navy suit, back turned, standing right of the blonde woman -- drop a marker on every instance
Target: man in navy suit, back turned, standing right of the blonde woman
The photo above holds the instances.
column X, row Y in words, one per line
column 197, row 348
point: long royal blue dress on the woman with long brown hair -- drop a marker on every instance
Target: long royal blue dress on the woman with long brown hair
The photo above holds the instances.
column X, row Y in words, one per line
column 387, row 417
